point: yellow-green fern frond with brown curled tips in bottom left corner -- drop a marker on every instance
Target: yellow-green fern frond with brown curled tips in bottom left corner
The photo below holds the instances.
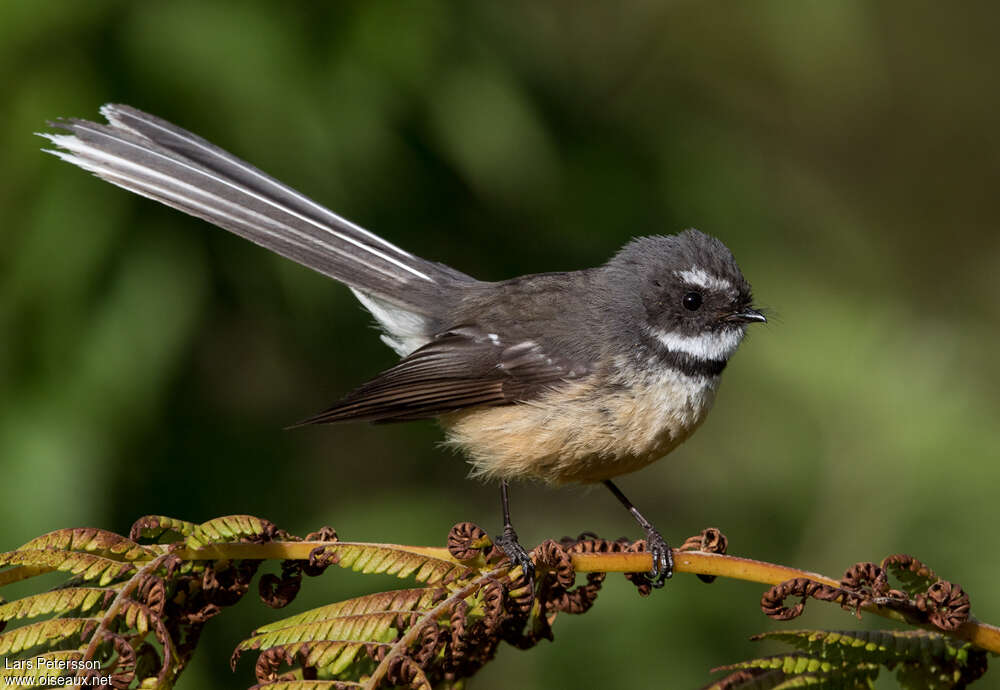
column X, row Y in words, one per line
column 133, row 610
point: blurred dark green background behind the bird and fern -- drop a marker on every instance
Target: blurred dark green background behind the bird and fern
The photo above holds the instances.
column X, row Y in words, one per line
column 847, row 152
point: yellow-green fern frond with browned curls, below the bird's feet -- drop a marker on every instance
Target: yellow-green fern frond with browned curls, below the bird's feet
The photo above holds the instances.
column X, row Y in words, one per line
column 380, row 636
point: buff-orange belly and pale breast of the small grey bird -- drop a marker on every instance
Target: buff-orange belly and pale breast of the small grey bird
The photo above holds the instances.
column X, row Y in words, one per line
column 582, row 433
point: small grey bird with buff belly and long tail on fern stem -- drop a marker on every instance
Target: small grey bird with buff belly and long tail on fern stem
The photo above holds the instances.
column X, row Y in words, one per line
column 562, row 377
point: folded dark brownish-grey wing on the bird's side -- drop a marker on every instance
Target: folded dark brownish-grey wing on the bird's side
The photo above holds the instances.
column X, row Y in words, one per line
column 461, row 368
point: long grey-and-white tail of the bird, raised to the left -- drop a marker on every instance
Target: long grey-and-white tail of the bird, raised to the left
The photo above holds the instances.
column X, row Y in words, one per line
column 156, row 159
